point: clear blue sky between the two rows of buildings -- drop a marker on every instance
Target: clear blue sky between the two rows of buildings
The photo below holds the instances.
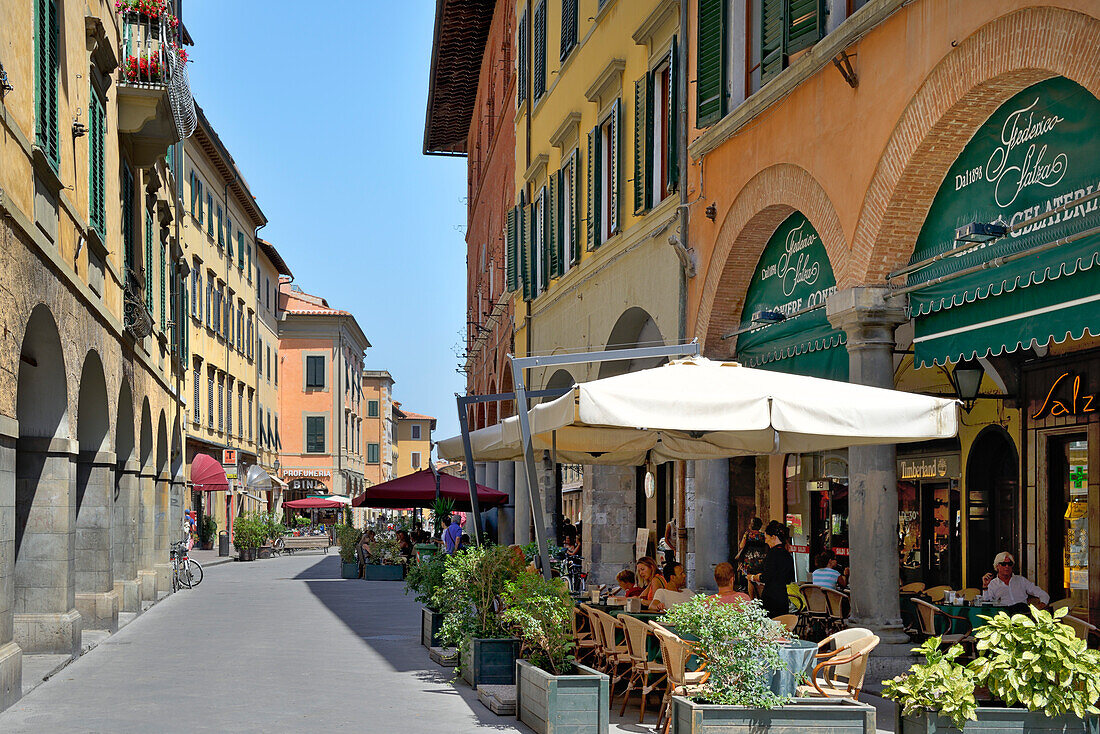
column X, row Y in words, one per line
column 323, row 109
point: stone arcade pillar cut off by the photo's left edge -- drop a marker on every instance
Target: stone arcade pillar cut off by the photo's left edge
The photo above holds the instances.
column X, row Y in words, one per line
column 12, row 655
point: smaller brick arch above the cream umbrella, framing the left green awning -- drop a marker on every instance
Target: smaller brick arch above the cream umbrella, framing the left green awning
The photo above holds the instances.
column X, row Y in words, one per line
column 761, row 207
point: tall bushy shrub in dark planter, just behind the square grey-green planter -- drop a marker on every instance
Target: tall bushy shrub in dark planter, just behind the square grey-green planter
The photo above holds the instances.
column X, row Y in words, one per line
column 470, row 599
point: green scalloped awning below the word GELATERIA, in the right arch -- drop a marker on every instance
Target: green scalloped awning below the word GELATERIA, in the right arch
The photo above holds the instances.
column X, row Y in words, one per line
column 1055, row 311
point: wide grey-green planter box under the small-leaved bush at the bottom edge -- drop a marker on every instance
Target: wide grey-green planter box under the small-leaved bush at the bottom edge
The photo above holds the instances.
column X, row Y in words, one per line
column 799, row 717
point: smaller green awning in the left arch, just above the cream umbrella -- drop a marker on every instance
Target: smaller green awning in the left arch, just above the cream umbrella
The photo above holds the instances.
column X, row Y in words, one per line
column 805, row 345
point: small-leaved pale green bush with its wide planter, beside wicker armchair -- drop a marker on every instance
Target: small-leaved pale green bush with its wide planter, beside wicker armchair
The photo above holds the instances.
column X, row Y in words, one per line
column 742, row 648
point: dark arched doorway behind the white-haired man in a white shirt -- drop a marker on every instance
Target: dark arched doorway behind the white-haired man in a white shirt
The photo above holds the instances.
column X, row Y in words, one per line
column 993, row 484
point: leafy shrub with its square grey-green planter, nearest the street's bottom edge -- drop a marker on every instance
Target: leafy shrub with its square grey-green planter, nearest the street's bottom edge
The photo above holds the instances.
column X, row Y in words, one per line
column 554, row 693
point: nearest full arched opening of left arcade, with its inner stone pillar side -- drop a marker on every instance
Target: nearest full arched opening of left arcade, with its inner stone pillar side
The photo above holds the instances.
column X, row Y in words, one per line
column 46, row 619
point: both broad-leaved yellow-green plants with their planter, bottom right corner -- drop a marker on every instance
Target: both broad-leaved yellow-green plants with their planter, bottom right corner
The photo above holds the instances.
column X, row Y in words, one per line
column 1039, row 675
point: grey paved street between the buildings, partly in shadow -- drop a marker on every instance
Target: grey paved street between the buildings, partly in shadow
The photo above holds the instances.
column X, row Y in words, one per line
column 278, row 645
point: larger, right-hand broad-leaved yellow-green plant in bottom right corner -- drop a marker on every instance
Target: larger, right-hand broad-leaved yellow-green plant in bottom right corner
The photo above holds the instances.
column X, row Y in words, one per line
column 1038, row 663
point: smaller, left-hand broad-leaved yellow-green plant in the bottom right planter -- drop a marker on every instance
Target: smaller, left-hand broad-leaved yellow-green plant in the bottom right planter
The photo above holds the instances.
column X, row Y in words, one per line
column 939, row 685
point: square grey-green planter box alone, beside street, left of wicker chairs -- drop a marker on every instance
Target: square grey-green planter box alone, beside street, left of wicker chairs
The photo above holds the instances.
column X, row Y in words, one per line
column 563, row 705
